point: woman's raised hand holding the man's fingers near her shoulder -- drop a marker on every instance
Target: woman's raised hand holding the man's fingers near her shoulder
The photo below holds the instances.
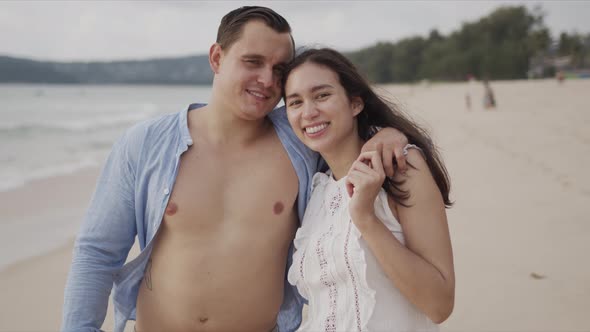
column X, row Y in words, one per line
column 363, row 183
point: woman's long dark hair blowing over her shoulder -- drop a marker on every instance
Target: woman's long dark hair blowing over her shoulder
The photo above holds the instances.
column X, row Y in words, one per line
column 377, row 112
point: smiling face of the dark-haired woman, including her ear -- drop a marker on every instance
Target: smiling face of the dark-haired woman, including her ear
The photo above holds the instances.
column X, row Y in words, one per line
column 319, row 110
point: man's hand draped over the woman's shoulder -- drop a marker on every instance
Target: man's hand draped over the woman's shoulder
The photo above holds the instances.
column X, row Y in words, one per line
column 393, row 142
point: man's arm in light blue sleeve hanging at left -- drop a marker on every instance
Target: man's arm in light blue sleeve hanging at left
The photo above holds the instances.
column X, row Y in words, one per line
column 103, row 242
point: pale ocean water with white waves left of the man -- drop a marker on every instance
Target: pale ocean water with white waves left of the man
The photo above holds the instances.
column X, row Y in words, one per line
column 49, row 130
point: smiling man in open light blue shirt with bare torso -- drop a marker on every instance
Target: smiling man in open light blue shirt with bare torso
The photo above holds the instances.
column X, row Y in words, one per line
column 212, row 194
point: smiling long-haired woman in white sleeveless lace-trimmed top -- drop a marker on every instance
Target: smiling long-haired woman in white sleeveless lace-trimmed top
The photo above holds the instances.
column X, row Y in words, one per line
column 373, row 253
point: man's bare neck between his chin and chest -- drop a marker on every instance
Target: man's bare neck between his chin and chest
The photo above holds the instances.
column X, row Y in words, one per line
column 220, row 126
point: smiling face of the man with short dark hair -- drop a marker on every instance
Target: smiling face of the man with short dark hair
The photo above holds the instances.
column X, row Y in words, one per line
column 249, row 72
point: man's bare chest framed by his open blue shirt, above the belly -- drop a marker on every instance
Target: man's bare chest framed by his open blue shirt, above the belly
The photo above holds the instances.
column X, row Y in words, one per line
column 211, row 191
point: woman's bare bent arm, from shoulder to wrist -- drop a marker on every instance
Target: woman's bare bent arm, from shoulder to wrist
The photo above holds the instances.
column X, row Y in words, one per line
column 422, row 269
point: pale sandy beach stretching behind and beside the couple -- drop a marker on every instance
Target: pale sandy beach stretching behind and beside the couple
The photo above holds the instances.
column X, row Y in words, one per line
column 519, row 225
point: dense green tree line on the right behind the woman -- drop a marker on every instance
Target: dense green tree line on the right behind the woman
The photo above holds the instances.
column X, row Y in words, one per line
column 498, row 46
